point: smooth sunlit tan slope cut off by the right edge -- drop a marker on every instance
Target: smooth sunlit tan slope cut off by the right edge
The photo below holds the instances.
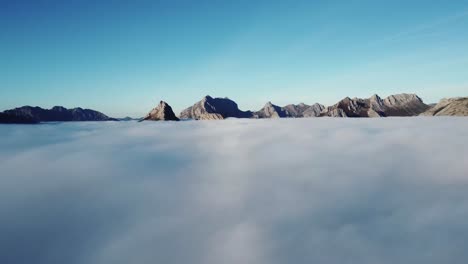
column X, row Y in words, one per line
column 449, row 107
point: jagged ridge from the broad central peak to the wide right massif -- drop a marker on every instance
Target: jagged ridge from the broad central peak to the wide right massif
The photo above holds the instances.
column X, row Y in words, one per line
column 374, row 106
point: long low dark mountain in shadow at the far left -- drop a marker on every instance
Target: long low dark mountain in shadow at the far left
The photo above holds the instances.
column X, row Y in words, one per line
column 56, row 114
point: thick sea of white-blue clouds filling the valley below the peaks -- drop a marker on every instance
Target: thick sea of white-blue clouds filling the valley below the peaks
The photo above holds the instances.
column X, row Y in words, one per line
column 338, row 191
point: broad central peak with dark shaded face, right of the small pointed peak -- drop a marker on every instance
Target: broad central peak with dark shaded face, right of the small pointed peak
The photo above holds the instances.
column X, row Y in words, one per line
column 214, row 108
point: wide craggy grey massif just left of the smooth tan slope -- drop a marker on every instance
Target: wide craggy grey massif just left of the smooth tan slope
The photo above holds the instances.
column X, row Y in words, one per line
column 394, row 105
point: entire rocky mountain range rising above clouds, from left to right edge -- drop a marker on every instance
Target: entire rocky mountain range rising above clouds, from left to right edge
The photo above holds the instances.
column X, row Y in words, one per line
column 209, row 108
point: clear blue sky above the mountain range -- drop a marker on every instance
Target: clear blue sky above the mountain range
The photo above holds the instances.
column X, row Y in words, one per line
column 122, row 57
